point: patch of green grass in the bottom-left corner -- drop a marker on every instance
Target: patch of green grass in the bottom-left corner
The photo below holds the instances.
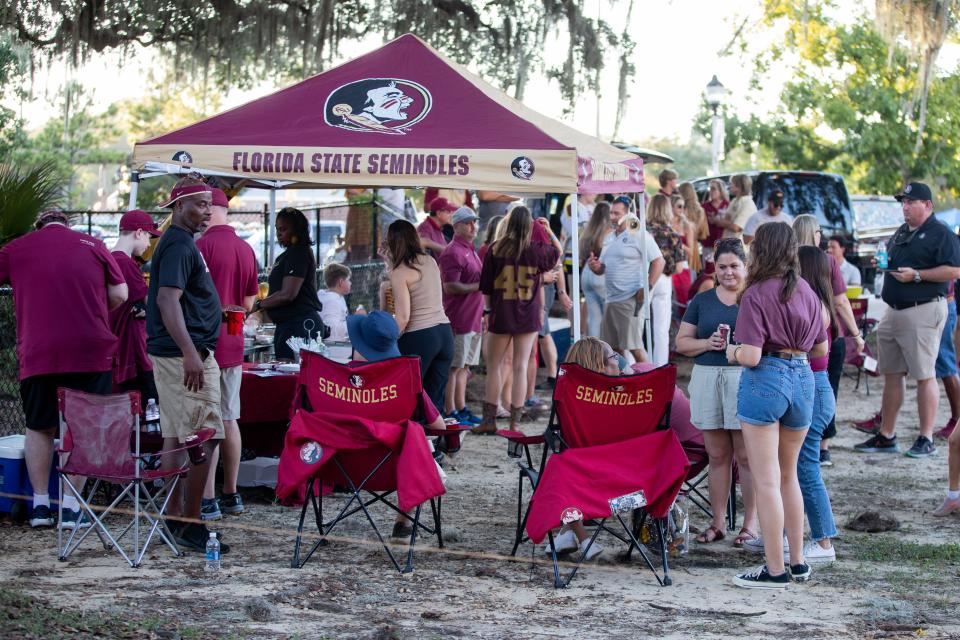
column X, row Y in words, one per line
column 28, row 617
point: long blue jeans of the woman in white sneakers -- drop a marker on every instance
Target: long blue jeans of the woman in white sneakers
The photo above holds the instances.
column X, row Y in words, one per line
column 816, row 500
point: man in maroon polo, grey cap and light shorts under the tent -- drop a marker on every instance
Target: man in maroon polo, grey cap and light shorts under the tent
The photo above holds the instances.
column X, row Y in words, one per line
column 463, row 303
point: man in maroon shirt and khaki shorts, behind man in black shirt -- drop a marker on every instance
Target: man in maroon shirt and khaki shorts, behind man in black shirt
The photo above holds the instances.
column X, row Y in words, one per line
column 233, row 268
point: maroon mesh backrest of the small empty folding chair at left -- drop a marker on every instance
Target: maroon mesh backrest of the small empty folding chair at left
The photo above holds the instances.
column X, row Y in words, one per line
column 98, row 432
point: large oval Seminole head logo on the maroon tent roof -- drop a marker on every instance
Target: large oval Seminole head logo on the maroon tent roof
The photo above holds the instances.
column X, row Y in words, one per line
column 382, row 105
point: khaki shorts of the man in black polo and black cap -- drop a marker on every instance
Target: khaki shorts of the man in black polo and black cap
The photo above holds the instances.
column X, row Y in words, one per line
column 909, row 339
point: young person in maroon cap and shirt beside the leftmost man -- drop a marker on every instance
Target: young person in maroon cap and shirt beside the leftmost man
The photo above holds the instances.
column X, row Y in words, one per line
column 132, row 370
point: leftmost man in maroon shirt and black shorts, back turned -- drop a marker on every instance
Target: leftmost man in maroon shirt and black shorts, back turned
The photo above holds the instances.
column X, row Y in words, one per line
column 64, row 282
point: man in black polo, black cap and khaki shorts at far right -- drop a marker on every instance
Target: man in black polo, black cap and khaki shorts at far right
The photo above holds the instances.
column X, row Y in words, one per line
column 924, row 256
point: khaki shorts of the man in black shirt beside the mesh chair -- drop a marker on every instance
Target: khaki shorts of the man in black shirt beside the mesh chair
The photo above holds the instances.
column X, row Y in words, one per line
column 183, row 412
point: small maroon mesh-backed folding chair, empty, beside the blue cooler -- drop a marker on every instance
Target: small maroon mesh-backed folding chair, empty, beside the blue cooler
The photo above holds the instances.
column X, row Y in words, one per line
column 100, row 439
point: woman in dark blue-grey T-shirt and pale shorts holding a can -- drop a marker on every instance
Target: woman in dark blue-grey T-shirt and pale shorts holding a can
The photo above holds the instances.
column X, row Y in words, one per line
column 713, row 388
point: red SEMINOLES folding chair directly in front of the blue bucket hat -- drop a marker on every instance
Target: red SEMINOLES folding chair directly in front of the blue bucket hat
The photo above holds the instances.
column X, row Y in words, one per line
column 363, row 412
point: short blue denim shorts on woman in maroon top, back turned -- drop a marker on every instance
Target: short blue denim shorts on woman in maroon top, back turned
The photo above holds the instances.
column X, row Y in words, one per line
column 776, row 390
